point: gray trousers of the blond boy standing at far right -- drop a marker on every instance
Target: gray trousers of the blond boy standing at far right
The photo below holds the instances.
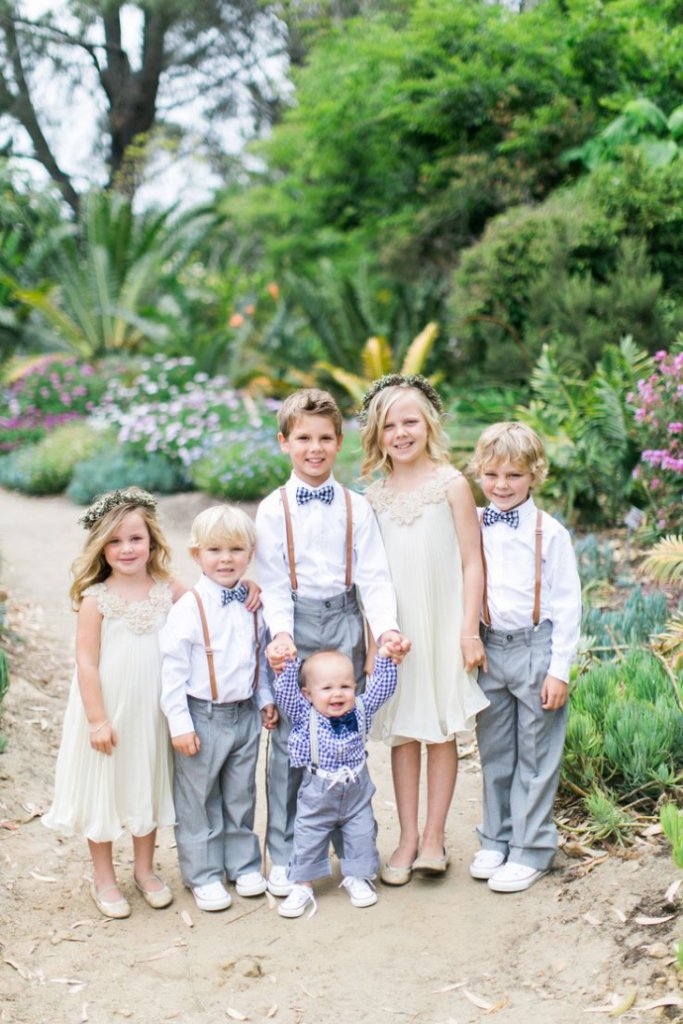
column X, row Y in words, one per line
column 521, row 747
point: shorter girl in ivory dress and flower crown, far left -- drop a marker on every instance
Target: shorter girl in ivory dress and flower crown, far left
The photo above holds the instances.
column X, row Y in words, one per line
column 114, row 769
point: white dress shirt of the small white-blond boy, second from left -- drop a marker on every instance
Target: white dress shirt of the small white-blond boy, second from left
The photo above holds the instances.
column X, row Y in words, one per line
column 185, row 666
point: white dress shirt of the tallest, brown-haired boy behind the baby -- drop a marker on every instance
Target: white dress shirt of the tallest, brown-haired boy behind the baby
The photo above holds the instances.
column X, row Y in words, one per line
column 320, row 549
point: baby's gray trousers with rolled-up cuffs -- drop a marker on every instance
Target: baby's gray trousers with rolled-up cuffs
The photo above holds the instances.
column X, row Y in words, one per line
column 324, row 807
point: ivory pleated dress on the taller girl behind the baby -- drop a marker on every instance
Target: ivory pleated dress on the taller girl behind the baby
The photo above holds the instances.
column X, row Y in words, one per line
column 437, row 699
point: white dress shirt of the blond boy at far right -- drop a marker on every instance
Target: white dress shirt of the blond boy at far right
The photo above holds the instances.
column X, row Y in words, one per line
column 511, row 577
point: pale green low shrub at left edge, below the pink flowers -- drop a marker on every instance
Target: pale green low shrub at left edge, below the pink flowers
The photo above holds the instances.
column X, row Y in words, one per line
column 47, row 468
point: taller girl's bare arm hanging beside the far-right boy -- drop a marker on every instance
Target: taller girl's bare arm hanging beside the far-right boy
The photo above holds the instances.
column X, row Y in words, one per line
column 469, row 541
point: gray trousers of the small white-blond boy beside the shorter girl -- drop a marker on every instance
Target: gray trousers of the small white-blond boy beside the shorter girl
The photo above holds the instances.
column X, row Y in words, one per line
column 216, row 794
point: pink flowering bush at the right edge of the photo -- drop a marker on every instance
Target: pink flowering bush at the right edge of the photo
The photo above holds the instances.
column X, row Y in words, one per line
column 659, row 415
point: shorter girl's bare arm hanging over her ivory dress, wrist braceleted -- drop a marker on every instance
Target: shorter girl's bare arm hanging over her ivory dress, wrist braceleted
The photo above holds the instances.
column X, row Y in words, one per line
column 89, row 633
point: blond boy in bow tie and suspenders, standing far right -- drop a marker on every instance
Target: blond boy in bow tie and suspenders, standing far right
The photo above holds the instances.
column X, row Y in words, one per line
column 532, row 620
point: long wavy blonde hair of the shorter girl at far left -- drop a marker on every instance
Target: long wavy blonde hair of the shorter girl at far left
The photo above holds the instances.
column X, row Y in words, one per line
column 92, row 567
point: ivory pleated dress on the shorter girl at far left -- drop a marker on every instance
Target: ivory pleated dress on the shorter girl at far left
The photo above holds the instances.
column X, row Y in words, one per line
column 97, row 795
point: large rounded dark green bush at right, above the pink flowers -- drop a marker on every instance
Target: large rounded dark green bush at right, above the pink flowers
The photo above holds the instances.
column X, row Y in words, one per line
column 580, row 272
